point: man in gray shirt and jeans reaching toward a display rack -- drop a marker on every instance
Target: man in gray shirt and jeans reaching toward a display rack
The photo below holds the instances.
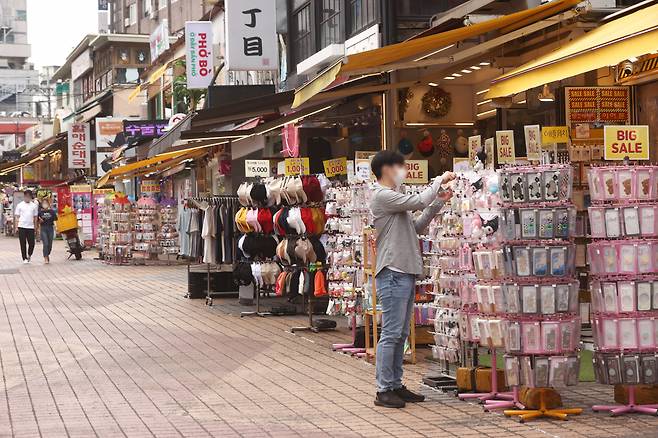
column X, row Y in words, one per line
column 399, row 262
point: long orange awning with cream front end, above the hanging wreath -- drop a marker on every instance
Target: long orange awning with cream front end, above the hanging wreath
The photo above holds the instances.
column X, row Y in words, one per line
column 382, row 59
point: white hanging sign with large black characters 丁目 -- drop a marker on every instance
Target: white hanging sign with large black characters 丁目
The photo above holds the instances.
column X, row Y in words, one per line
column 251, row 40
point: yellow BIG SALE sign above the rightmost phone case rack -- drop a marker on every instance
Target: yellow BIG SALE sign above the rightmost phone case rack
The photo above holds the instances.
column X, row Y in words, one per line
column 622, row 141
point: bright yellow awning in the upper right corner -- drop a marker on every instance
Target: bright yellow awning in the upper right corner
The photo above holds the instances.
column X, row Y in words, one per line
column 629, row 36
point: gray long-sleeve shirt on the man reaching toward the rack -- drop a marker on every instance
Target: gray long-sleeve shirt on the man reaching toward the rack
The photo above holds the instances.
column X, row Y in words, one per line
column 397, row 231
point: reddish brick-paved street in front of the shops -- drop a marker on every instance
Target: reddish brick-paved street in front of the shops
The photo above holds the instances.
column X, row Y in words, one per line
column 93, row 350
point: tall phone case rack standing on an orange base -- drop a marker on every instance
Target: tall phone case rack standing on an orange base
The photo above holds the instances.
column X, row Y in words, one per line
column 535, row 295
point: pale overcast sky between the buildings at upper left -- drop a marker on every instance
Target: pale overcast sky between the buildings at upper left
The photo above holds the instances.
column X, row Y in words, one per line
column 57, row 26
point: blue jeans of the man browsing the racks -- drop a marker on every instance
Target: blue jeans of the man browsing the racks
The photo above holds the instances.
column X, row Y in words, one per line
column 395, row 294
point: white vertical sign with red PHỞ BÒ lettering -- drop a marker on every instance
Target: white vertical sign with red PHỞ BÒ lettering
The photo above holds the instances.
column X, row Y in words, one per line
column 199, row 55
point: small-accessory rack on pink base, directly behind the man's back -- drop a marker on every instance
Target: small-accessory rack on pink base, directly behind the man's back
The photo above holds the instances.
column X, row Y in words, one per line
column 348, row 215
